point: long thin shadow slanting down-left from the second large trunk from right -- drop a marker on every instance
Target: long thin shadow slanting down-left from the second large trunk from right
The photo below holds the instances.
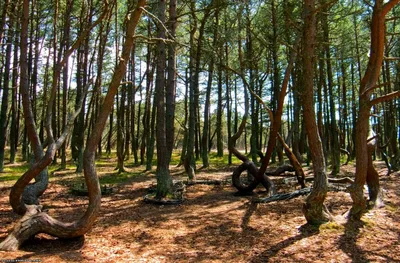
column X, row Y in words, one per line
column 305, row 231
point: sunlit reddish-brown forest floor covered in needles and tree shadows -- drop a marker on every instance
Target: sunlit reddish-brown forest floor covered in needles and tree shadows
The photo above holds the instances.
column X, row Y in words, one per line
column 211, row 225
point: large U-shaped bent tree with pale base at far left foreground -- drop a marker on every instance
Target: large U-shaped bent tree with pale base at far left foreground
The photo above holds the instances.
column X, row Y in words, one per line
column 34, row 220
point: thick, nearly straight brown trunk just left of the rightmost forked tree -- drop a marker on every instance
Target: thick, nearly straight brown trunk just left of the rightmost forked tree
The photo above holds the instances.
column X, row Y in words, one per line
column 314, row 209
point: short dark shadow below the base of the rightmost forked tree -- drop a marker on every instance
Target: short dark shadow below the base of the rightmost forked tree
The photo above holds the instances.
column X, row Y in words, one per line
column 348, row 241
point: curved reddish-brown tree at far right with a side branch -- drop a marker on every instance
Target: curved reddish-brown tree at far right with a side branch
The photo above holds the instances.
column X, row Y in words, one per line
column 365, row 172
